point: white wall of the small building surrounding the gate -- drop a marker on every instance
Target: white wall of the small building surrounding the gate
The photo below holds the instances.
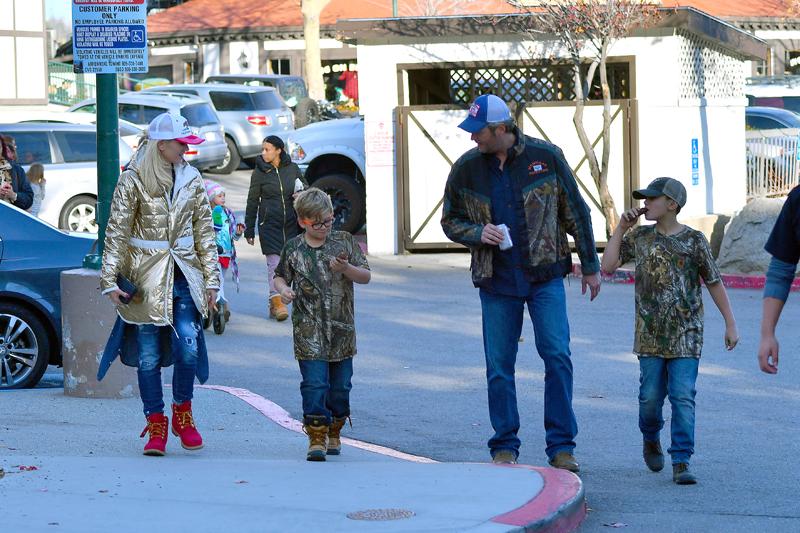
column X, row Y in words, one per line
column 670, row 111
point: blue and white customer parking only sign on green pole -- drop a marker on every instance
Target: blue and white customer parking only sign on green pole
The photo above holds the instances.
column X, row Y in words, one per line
column 109, row 36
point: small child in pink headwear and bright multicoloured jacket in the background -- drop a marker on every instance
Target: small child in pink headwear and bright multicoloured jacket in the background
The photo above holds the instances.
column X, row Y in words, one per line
column 227, row 231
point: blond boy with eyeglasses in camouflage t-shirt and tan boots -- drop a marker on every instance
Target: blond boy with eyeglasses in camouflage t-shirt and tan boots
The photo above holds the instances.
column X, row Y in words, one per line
column 316, row 273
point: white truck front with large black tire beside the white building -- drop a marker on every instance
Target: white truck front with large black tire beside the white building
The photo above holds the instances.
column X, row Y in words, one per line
column 331, row 155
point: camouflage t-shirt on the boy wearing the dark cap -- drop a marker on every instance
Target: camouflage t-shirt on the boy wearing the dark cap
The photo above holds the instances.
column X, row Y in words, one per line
column 669, row 299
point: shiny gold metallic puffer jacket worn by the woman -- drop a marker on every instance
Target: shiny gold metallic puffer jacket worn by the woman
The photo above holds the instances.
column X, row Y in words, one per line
column 146, row 236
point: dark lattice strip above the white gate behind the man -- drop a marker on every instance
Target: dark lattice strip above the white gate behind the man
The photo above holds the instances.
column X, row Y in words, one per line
column 538, row 83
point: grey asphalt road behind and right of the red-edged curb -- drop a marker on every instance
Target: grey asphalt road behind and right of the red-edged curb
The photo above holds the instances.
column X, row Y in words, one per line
column 419, row 387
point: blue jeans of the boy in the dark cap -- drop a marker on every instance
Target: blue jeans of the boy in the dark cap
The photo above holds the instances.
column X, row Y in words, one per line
column 676, row 378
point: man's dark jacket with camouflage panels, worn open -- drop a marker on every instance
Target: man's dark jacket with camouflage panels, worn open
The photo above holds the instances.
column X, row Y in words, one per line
column 553, row 208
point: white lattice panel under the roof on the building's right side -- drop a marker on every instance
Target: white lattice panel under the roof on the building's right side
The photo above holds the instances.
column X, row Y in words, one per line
column 708, row 71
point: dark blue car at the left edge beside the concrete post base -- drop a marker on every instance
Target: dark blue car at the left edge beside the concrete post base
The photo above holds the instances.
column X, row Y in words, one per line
column 32, row 256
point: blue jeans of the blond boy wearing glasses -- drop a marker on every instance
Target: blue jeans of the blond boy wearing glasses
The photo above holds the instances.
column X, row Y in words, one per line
column 326, row 389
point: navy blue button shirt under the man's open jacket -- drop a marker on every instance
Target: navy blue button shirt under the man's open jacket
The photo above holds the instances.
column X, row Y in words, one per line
column 508, row 276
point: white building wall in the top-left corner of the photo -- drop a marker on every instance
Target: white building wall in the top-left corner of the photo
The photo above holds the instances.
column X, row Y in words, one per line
column 23, row 54
